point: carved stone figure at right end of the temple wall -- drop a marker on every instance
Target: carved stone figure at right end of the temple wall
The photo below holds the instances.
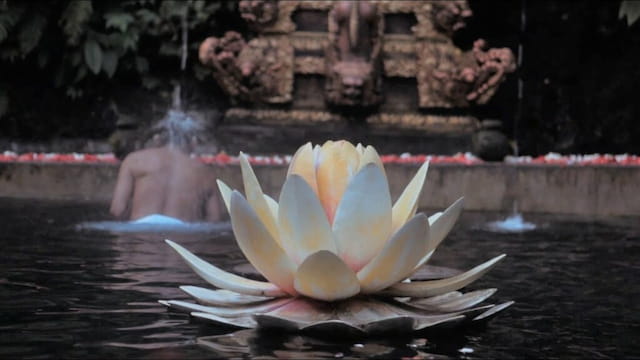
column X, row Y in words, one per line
column 475, row 80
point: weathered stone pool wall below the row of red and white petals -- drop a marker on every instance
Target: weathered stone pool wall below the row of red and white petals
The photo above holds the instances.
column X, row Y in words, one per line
column 599, row 191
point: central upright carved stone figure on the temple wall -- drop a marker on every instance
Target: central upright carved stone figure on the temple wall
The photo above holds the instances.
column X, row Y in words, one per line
column 353, row 55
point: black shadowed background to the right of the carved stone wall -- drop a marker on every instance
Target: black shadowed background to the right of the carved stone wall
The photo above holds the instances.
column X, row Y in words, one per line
column 579, row 74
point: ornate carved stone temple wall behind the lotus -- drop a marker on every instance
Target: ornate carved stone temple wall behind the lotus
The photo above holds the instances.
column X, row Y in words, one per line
column 382, row 72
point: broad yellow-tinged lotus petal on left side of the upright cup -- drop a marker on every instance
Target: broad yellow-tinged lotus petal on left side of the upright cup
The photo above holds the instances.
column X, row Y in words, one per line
column 258, row 245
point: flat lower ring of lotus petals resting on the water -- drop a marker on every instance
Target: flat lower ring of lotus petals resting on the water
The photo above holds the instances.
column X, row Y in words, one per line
column 359, row 316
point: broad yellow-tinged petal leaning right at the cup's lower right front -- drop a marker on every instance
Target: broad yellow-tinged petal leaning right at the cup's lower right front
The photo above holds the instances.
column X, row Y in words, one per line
column 398, row 258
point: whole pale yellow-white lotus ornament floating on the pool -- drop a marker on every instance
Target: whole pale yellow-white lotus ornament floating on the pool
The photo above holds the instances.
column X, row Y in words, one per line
column 335, row 252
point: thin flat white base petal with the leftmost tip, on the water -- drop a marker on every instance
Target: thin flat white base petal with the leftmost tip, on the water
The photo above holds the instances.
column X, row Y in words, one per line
column 227, row 312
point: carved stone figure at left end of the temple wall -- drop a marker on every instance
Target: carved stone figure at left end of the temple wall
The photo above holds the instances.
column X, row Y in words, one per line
column 254, row 71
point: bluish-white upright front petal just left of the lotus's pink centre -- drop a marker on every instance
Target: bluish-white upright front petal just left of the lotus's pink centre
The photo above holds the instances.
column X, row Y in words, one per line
column 303, row 225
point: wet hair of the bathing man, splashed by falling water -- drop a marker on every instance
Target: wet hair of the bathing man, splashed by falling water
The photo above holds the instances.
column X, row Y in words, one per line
column 178, row 129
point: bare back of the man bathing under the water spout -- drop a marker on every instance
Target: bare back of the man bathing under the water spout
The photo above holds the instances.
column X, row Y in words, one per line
column 165, row 181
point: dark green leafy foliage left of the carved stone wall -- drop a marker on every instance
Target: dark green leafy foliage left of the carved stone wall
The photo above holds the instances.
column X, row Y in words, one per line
column 76, row 42
